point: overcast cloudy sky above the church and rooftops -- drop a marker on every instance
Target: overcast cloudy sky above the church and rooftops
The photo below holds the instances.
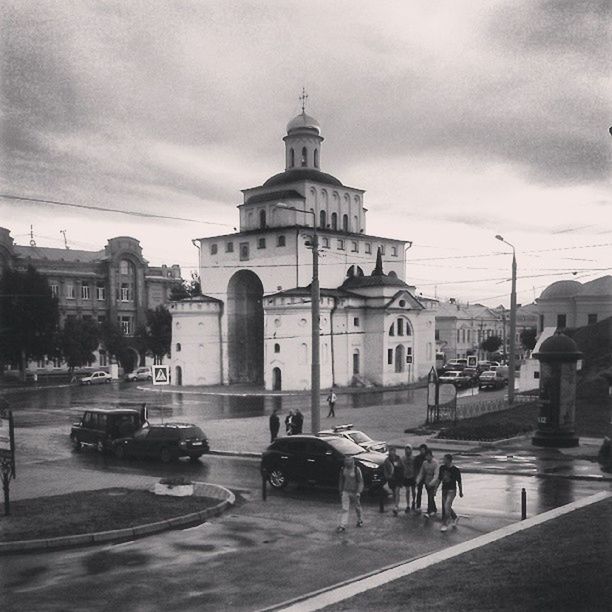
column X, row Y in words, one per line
column 460, row 119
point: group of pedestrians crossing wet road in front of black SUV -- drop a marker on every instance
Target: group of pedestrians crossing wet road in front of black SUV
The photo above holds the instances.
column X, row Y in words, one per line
column 408, row 474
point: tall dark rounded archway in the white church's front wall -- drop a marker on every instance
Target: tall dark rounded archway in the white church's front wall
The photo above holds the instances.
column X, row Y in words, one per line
column 245, row 327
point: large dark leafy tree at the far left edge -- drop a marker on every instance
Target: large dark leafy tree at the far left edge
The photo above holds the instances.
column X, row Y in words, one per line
column 29, row 317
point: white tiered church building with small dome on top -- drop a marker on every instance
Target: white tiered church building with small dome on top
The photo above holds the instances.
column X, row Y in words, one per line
column 253, row 323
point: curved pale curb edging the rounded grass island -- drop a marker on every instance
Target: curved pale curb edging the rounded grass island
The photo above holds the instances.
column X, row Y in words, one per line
column 227, row 498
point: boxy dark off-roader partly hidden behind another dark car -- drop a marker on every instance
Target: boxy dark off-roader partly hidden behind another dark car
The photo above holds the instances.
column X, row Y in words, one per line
column 99, row 427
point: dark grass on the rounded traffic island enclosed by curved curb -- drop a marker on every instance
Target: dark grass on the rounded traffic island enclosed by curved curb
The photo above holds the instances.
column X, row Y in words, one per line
column 91, row 511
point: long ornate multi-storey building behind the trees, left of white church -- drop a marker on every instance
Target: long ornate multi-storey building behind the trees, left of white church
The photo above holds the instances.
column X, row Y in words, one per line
column 113, row 283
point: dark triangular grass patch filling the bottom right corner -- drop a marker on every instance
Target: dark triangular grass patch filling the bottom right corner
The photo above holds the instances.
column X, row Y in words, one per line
column 565, row 564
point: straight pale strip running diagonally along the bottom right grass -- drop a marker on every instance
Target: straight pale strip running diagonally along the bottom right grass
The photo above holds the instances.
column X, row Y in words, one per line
column 327, row 597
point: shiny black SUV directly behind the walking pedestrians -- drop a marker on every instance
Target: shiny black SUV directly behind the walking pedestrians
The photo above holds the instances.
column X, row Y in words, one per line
column 318, row 461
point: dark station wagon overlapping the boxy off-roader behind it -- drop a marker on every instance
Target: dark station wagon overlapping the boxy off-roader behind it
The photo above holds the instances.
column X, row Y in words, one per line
column 165, row 441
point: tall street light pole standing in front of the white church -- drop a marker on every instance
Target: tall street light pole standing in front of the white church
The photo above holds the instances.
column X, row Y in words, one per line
column 315, row 297
